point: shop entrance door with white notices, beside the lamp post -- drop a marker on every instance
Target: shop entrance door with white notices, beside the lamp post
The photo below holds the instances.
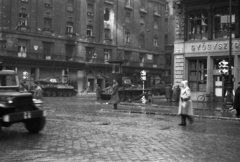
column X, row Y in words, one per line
column 218, row 87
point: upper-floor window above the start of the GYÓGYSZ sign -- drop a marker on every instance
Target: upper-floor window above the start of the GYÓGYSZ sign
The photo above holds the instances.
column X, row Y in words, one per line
column 198, row 25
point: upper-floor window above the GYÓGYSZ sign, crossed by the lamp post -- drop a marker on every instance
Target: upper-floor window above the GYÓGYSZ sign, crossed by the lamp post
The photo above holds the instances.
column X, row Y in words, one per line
column 221, row 23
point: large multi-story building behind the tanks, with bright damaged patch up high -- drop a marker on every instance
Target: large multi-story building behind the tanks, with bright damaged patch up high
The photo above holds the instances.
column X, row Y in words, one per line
column 73, row 40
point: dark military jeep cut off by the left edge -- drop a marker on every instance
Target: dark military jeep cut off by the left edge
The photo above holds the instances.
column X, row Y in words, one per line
column 17, row 106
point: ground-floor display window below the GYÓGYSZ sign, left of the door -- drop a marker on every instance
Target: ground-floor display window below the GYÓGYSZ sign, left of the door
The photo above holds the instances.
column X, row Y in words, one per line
column 197, row 74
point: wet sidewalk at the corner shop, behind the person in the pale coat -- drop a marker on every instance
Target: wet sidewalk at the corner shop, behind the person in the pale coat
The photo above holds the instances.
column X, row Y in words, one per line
column 159, row 105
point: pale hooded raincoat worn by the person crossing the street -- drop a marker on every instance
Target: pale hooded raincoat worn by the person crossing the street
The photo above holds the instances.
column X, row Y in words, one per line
column 185, row 102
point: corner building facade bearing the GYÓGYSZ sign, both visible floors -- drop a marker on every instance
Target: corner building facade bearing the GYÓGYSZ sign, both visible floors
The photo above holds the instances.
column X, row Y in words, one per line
column 202, row 41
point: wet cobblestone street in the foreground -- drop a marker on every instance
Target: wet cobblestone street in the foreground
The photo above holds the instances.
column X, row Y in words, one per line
column 79, row 129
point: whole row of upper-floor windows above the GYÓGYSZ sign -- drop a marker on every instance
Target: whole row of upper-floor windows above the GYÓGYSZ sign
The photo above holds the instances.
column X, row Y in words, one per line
column 211, row 24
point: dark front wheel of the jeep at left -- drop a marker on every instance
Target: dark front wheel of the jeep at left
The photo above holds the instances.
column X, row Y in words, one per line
column 35, row 125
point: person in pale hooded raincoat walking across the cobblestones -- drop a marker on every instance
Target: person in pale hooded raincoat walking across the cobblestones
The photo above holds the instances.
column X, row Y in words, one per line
column 185, row 109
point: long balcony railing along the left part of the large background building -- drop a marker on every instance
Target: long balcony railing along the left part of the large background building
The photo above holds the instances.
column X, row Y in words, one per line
column 41, row 56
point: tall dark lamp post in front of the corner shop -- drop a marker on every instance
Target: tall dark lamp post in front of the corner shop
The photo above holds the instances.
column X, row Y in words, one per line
column 229, row 100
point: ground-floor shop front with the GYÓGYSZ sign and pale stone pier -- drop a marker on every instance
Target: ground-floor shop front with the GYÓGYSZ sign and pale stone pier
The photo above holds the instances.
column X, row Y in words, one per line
column 199, row 64
